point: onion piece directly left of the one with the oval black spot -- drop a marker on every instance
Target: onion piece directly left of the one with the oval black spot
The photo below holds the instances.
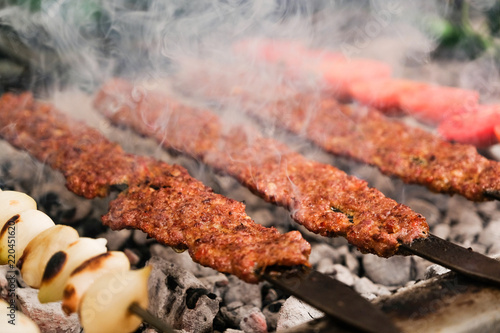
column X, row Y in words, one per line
column 33, row 261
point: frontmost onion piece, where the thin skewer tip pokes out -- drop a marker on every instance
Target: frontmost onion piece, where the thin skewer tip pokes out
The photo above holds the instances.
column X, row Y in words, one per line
column 105, row 305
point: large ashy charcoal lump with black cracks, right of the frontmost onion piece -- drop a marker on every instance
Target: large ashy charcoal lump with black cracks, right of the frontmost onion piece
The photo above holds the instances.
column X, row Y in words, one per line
column 180, row 299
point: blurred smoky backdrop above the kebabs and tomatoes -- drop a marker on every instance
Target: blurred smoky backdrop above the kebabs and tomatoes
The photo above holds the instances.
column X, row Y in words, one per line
column 53, row 43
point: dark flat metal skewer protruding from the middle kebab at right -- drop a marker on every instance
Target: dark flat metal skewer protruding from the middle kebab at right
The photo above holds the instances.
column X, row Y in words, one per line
column 456, row 258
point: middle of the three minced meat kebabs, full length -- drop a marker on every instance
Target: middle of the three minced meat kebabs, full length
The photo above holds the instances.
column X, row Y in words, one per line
column 322, row 198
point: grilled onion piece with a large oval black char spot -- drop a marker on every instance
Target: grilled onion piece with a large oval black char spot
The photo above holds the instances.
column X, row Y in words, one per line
column 62, row 263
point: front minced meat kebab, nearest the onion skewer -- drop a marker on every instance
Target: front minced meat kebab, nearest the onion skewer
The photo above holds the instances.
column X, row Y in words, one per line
column 161, row 200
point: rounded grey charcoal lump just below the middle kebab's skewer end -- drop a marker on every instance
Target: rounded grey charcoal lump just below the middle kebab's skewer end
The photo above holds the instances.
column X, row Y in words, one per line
column 393, row 271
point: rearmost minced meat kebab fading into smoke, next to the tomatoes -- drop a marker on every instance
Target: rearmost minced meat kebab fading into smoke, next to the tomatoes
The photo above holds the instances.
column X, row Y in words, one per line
column 361, row 133
